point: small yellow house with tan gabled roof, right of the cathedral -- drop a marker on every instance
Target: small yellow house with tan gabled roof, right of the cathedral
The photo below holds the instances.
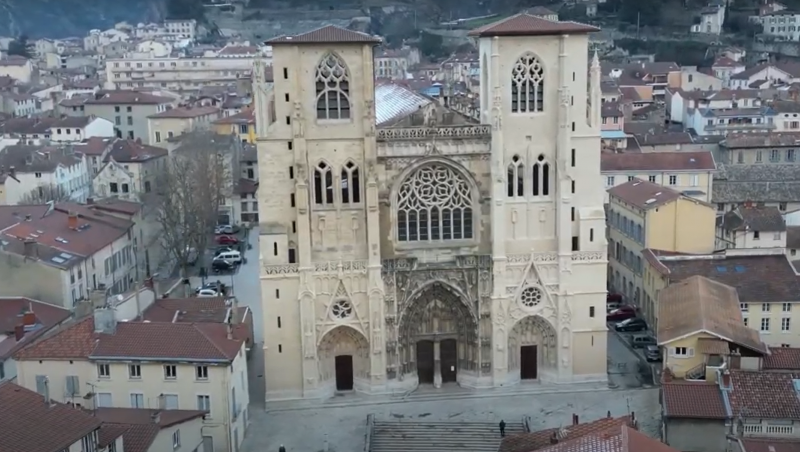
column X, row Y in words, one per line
column 700, row 329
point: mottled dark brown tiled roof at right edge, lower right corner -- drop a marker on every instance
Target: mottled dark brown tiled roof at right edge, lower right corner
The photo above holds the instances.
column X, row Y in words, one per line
column 766, row 395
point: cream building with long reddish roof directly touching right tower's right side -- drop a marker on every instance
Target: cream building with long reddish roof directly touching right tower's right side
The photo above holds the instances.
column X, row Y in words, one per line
column 687, row 172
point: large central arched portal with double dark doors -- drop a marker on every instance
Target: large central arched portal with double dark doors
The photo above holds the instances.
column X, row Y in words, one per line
column 438, row 337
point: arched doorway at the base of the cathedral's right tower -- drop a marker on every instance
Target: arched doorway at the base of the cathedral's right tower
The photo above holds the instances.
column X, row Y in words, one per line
column 532, row 349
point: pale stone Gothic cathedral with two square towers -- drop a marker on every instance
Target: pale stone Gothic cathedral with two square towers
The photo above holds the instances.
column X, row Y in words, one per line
column 430, row 247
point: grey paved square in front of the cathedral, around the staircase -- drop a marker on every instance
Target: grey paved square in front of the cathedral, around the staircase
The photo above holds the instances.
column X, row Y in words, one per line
column 306, row 430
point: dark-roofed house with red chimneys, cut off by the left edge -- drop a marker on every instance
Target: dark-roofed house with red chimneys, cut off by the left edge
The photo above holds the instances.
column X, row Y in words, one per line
column 22, row 321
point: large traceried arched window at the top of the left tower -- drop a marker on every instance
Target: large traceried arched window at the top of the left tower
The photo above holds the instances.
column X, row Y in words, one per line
column 333, row 88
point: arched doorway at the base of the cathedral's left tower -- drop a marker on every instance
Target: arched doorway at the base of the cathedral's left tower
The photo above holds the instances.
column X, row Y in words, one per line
column 344, row 360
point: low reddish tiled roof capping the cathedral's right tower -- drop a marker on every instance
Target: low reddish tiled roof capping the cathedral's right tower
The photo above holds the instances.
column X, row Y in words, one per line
column 530, row 25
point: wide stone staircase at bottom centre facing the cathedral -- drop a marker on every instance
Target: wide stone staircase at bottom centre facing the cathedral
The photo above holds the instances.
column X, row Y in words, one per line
column 439, row 436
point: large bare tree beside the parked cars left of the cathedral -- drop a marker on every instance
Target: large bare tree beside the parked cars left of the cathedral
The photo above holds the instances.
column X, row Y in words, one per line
column 189, row 189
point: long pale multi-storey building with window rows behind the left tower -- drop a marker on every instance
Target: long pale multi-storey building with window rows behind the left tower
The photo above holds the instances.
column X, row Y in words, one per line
column 223, row 67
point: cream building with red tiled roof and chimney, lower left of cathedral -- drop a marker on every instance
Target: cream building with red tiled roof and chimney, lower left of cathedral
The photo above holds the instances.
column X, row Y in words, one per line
column 153, row 365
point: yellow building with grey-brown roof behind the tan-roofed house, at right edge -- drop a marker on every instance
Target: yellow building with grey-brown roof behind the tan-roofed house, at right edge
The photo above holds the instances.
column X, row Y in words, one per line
column 765, row 280
